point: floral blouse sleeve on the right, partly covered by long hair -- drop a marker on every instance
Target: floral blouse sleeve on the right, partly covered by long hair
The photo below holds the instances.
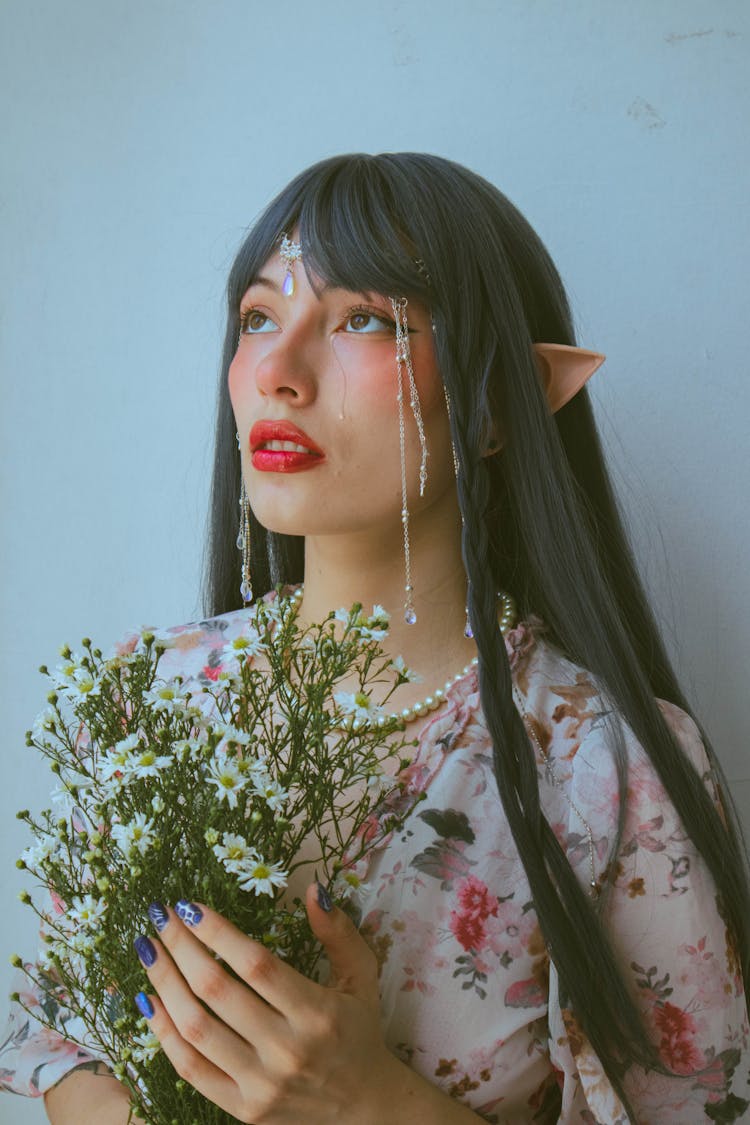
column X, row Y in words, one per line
column 666, row 926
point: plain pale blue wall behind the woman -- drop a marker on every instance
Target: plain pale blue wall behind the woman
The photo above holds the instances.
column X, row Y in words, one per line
column 141, row 139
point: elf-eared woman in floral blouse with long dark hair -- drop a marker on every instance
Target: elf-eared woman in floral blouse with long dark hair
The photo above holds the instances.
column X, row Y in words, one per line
column 558, row 935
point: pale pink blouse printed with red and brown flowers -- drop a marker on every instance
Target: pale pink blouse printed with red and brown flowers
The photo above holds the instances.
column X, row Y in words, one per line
column 469, row 996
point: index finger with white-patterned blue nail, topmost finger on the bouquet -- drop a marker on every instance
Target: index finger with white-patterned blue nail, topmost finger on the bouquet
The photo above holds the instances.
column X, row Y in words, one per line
column 283, row 987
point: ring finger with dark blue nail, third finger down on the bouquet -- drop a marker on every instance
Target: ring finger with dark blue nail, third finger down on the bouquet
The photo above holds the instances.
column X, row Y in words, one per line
column 196, row 1025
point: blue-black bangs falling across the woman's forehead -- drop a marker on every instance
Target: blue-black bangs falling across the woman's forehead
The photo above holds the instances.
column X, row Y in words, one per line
column 353, row 220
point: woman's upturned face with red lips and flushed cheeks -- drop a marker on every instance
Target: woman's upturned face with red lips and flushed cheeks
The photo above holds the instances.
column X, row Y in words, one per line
column 327, row 364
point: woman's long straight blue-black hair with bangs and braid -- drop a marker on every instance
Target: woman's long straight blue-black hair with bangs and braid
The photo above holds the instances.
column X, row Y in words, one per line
column 540, row 519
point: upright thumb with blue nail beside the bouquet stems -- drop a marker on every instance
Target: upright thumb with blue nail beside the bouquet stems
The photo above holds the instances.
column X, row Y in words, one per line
column 354, row 965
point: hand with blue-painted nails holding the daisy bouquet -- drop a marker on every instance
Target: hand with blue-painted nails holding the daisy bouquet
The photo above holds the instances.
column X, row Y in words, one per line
column 278, row 1049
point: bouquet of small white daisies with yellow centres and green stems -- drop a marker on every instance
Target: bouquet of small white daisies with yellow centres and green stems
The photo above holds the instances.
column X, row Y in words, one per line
column 161, row 789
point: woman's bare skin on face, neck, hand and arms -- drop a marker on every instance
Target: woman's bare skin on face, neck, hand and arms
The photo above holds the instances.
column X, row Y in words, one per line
column 279, row 1049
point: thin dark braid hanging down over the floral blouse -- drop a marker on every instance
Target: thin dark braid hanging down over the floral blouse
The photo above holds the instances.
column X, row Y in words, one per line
column 564, row 908
